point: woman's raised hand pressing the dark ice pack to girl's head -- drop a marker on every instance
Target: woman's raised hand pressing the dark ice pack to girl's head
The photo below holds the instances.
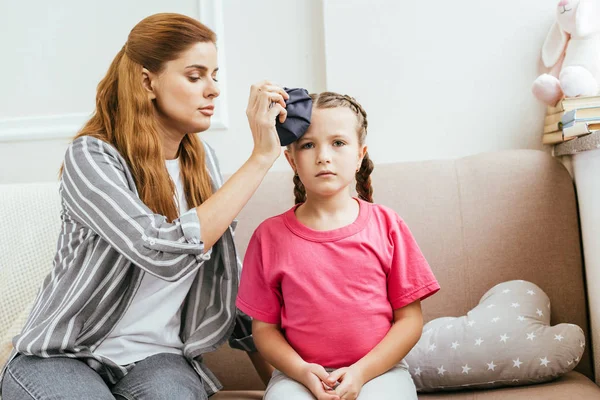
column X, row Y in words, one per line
column 266, row 102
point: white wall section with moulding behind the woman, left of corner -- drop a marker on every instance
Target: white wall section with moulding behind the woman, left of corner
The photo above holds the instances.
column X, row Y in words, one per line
column 54, row 55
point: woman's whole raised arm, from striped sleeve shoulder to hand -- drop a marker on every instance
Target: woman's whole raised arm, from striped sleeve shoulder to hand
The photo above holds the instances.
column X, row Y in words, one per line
column 97, row 192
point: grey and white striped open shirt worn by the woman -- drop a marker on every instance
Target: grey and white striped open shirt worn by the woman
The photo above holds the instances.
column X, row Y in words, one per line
column 109, row 239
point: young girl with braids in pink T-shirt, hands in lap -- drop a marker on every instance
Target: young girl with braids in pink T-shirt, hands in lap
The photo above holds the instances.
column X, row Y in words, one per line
column 334, row 284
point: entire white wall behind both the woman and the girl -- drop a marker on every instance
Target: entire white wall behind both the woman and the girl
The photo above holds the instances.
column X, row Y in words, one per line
column 438, row 79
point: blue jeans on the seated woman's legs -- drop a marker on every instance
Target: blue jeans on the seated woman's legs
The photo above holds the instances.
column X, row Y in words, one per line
column 162, row 376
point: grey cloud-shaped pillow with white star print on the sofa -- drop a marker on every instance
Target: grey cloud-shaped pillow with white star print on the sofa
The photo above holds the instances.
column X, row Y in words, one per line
column 506, row 340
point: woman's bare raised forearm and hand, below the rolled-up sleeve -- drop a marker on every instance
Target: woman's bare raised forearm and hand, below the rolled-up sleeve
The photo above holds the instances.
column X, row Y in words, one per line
column 216, row 213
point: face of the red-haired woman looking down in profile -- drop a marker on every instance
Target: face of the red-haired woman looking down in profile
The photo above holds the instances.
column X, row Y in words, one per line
column 184, row 91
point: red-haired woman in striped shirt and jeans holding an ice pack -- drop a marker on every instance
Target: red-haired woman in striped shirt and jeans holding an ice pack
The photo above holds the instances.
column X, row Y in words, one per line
column 145, row 272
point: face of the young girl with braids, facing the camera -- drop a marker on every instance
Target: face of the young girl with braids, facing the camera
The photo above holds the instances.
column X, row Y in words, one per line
column 328, row 155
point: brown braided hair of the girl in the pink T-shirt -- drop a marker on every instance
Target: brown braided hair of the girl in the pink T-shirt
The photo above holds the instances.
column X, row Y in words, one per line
column 363, row 175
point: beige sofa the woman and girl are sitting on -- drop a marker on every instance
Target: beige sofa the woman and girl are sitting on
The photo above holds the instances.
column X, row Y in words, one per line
column 479, row 220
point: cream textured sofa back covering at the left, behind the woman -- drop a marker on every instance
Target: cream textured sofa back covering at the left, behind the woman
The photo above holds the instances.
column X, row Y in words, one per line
column 30, row 215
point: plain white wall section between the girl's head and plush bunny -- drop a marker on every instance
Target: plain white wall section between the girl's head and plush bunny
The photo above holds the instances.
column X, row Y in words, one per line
column 440, row 79
